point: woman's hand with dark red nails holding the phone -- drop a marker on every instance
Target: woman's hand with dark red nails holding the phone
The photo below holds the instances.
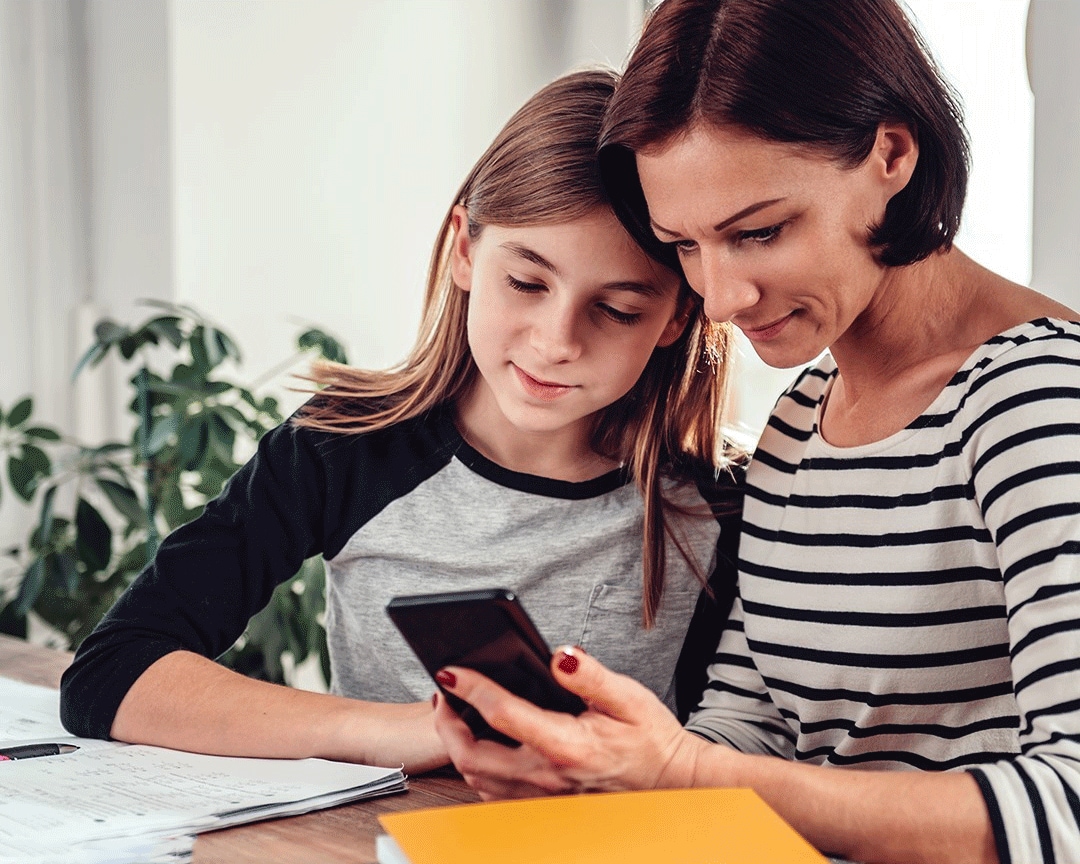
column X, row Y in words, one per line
column 627, row 739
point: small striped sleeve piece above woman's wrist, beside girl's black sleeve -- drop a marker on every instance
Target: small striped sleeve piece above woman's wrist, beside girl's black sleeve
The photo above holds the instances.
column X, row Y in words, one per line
column 736, row 708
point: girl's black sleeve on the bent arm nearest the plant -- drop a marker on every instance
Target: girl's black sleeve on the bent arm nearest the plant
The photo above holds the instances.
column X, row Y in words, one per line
column 208, row 578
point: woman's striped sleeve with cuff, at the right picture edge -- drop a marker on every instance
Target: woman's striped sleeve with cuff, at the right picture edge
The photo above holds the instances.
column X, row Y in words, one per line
column 1023, row 440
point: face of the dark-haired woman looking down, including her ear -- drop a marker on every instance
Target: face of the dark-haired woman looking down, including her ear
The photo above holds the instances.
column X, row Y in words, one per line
column 773, row 236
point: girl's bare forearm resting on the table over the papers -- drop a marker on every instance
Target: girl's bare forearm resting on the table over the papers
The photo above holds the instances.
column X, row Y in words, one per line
column 187, row 703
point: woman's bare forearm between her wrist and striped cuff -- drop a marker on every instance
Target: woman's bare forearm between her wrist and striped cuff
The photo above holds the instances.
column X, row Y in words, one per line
column 873, row 817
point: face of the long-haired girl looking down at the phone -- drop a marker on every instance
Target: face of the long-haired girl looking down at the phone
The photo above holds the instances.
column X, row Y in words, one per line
column 562, row 318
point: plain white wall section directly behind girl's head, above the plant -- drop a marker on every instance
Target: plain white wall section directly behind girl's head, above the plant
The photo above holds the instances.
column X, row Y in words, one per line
column 317, row 145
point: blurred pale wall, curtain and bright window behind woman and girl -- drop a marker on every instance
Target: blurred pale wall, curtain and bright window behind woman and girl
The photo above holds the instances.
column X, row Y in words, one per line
column 280, row 165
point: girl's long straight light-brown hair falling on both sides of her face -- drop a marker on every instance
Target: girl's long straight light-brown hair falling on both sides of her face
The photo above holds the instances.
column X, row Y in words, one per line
column 542, row 169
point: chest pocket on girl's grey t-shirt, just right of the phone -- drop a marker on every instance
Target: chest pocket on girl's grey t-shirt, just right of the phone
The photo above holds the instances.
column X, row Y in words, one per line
column 615, row 636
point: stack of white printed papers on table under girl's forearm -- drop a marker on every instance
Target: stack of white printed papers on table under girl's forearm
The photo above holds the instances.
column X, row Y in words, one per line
column 115, row 803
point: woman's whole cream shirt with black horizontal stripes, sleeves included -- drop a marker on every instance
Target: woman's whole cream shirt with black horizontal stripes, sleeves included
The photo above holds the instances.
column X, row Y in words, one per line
column 915, row 603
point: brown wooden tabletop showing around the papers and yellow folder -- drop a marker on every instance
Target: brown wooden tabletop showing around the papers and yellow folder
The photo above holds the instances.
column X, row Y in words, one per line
column 335, row 836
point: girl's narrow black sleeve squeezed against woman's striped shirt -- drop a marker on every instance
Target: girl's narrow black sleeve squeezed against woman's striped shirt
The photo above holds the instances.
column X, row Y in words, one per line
column 725, row 496
